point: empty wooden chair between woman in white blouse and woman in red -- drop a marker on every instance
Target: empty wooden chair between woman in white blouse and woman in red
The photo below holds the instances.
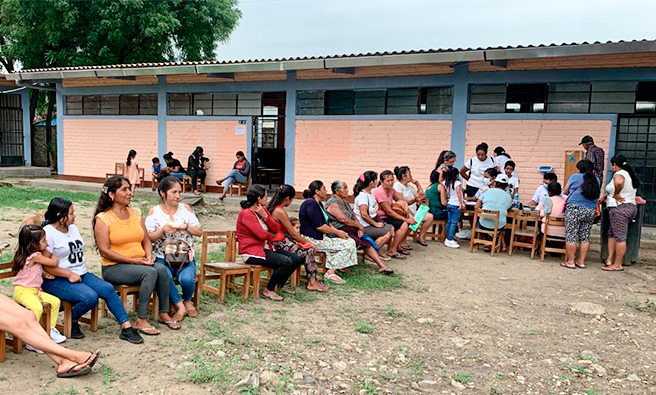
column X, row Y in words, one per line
column 225, row 271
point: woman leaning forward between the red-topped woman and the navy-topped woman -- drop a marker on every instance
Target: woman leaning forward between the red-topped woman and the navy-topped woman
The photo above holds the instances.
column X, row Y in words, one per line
column 294, row 242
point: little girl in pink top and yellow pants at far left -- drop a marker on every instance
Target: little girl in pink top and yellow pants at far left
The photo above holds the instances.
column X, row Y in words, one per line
column 28, row 262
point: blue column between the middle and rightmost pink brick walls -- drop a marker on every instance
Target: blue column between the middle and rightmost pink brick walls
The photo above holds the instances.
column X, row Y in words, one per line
column 459, row 113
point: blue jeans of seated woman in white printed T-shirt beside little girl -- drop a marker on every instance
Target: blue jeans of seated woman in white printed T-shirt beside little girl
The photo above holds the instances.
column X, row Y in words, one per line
column 84, row 295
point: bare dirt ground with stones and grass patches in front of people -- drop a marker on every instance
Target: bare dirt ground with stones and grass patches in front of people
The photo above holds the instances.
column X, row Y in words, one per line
column 458, row 323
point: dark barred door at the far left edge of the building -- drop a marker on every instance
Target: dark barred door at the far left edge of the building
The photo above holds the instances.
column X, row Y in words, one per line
column 11, row 130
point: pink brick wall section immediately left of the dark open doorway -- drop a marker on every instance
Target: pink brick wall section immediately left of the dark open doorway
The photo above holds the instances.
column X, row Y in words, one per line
column 217, row 138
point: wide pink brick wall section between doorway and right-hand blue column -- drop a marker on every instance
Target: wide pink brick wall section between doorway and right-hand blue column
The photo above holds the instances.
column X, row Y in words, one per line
column 329, row 150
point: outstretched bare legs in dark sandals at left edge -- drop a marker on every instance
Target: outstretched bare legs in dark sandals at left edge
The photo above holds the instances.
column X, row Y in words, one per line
column 22, row 323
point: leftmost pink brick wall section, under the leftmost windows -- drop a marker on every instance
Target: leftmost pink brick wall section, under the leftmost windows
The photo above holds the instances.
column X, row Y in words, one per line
column 93, row 145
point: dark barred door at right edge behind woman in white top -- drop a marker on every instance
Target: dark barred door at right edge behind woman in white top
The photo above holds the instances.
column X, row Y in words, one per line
column 636, row 140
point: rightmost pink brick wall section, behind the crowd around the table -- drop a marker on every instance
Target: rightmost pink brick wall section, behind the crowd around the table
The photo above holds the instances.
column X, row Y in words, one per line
column 533, row 143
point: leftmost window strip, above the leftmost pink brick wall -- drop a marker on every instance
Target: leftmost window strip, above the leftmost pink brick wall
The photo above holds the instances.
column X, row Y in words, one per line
column 145, row 104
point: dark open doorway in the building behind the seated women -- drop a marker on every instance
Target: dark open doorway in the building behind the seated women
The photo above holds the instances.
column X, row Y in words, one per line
column 268, row 144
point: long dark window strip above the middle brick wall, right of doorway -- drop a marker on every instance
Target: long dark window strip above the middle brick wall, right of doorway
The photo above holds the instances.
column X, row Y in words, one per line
column 376, row 101
